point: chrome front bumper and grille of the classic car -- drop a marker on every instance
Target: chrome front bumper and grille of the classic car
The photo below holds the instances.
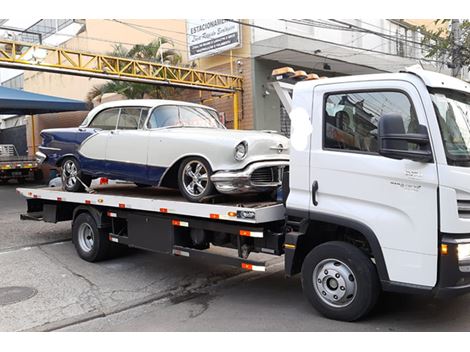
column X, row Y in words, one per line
column 260, row 176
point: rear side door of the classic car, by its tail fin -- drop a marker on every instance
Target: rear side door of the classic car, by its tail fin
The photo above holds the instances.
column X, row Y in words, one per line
column 93, row 149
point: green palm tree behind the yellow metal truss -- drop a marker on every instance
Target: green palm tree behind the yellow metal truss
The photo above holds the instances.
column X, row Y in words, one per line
column 154, row 51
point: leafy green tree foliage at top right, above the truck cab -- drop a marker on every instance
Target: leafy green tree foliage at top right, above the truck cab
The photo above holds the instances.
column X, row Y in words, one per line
column 441, row 43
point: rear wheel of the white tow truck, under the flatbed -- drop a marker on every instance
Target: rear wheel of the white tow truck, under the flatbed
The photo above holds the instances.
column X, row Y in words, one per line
column 91, row 243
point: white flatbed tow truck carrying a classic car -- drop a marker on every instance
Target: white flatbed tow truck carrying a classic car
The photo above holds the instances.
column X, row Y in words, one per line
column 377, row 196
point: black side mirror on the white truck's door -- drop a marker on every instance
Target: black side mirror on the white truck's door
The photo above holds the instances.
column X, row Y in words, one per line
column 393, row 140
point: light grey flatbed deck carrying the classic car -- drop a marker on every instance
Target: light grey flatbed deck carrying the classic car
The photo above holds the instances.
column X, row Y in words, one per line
column 253, row 209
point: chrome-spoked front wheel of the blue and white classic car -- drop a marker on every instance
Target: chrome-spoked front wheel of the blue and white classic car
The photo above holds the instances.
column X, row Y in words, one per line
column 194, row 179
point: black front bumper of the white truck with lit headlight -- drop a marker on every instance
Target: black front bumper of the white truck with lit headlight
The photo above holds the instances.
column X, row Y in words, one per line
column 454, row 266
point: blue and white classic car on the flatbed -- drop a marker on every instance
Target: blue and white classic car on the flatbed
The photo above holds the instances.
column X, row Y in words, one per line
column 166, row 144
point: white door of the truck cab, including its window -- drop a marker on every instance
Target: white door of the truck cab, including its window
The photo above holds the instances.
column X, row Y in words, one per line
column 396, row 199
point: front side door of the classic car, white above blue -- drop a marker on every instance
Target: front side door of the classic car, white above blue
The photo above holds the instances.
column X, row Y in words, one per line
column 126, row 150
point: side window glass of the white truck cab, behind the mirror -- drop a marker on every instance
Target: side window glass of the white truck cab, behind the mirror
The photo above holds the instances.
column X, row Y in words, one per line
column 351, row 119
